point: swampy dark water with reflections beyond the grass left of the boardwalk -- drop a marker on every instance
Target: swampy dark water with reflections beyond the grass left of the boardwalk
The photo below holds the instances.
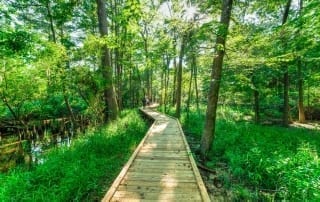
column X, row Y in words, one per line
column 14, row 151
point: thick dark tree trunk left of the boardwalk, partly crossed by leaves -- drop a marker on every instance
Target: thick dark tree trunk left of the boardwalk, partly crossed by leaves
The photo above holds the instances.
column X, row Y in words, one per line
column 111, row 111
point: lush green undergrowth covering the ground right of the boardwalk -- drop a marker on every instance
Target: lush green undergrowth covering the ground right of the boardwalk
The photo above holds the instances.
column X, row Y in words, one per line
column 258, row 162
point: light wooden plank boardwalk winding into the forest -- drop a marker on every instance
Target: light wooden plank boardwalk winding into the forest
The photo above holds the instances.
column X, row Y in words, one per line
column 161, row 169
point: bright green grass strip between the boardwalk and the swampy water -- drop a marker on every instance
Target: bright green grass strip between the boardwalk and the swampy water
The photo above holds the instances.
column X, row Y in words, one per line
column 82, row 172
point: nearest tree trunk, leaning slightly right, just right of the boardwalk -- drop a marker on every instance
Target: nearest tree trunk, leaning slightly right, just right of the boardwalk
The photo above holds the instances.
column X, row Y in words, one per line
column 209, row 128
